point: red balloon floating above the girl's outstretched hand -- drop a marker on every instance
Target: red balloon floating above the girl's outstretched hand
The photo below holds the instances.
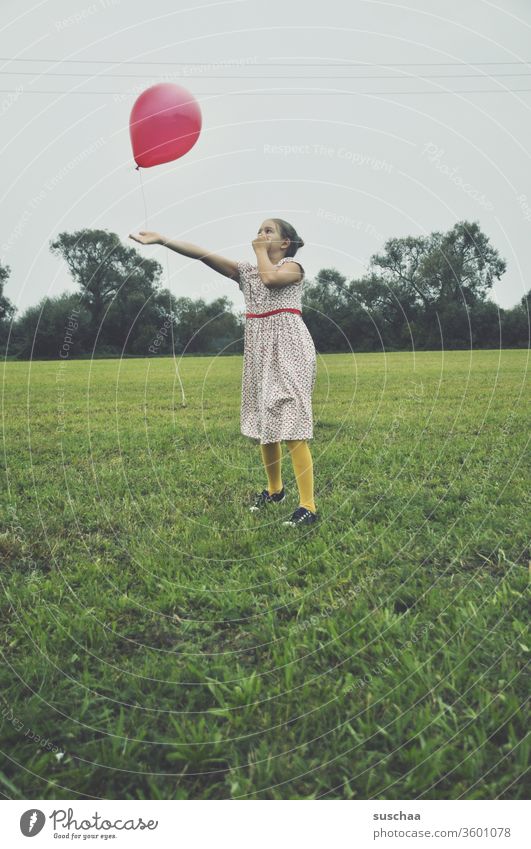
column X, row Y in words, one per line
column 165, row 123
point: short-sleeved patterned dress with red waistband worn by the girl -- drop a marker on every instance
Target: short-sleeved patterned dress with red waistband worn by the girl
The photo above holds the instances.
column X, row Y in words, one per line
column 279, row 362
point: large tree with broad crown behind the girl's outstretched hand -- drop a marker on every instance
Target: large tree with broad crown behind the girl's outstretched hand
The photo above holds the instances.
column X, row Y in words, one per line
column 105, row 269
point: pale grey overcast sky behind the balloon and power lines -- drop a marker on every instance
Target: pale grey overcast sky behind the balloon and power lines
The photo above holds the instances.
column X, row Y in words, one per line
column 335, row 116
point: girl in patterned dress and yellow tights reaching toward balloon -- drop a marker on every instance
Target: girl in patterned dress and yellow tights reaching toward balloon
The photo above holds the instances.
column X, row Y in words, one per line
column 279, row 364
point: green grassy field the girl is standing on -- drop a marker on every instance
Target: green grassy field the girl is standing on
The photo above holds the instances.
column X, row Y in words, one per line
column 160, row 641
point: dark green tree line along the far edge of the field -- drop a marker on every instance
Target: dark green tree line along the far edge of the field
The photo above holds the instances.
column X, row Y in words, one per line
column 423, row 292
